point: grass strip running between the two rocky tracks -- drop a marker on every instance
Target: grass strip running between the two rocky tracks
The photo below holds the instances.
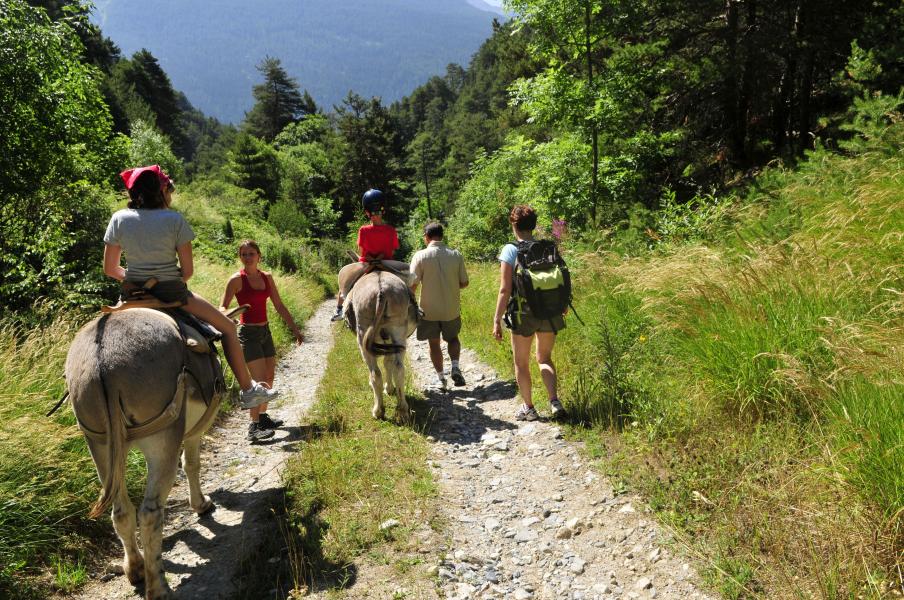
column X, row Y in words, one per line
column 354, row 473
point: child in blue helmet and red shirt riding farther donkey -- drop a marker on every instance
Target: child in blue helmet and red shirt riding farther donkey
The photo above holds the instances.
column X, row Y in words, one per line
column 377, row 242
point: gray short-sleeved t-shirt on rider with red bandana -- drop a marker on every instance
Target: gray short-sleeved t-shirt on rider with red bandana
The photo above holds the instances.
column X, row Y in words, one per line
column 149, row 238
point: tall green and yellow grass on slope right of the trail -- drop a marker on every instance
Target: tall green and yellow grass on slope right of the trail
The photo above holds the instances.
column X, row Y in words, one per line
column 752, row 386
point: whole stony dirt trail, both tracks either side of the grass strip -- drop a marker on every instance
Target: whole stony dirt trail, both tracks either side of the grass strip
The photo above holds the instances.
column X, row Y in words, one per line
column 528, row 516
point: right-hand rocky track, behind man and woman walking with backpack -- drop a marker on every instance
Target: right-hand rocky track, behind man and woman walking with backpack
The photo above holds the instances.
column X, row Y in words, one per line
column 529, row 516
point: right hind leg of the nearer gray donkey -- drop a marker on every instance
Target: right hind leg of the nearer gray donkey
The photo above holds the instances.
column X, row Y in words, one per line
column 161, row 451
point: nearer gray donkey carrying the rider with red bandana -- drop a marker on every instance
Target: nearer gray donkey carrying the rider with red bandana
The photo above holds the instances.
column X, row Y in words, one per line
column 133, row 381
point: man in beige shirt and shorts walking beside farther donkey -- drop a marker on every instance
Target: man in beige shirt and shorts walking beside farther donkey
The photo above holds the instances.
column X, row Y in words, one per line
column 442, row 272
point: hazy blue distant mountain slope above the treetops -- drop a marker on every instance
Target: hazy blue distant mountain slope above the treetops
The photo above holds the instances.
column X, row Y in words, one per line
column 374, row 47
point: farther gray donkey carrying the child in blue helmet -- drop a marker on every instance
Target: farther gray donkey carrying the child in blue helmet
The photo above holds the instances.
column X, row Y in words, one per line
column 385, row 316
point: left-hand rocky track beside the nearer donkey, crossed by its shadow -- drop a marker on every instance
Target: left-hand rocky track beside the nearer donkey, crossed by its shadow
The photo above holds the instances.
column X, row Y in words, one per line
column 202, row 555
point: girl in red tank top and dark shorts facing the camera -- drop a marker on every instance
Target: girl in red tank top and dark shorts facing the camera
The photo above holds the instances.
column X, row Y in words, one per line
column 253, row 287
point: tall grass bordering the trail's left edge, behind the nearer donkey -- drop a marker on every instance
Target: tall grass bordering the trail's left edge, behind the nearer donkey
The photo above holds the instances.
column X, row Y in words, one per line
column 47, row 478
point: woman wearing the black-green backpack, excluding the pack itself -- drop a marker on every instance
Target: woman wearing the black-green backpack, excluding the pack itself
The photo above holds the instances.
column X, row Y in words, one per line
column 523, row 323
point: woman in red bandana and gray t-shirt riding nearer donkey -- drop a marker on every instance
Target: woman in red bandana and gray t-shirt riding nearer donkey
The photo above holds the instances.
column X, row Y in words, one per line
column 153, row 237
